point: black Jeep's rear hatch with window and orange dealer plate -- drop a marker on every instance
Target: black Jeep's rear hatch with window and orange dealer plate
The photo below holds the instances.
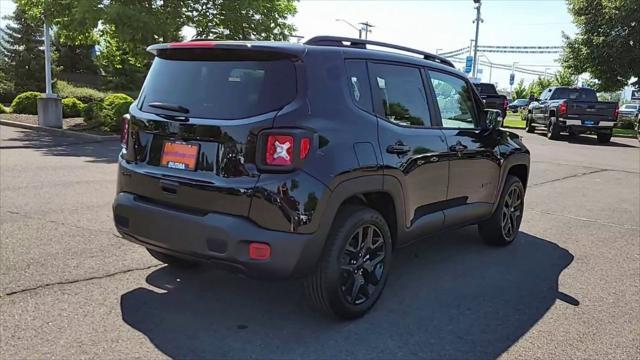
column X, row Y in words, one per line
column 192, row 134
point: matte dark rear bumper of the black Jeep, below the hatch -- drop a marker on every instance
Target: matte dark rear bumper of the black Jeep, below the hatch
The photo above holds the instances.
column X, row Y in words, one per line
column 217, row 238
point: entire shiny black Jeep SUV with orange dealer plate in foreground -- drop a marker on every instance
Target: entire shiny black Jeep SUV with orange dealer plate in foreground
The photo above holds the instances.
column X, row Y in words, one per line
column 315, row 160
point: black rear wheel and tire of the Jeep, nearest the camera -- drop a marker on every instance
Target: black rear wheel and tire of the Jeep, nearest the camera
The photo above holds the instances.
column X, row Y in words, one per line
column 330, row 287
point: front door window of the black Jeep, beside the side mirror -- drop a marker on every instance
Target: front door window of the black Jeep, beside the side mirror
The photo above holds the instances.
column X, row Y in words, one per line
column 454, row 100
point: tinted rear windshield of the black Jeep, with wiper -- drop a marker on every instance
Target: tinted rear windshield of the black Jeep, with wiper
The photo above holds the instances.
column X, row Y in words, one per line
column 219, row 89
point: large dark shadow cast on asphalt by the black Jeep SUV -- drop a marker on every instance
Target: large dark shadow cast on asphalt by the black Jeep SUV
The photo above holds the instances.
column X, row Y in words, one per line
column 447, row 297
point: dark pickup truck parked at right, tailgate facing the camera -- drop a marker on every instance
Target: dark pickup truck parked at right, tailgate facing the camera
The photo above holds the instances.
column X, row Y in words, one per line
column 574, row 110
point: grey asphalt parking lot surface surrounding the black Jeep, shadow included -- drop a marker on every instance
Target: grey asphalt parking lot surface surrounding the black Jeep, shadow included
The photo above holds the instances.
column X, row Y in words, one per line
column 568, row 288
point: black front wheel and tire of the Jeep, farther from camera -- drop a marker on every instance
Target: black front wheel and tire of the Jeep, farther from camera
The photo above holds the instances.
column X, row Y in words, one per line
column 493, row 231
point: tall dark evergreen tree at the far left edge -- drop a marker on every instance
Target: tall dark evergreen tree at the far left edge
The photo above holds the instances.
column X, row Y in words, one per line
column 21, row 52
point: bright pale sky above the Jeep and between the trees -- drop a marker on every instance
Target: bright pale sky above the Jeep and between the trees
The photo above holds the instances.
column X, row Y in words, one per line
column 441, row 24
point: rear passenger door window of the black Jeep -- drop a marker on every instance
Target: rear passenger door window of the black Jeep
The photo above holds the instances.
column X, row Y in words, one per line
column 401, row 93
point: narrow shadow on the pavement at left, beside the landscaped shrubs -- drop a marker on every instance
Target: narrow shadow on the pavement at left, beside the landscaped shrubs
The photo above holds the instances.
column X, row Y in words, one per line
column 53, row 144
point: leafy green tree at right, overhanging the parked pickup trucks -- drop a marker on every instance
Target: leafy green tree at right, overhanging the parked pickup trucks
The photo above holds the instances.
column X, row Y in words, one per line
column 607, row 45
